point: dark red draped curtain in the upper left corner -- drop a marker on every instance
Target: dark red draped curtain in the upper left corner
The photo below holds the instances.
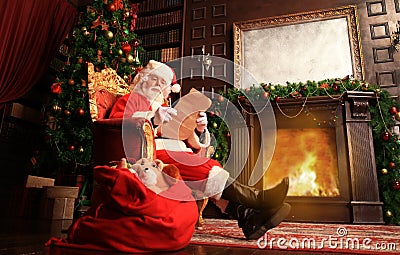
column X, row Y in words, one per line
column 31, row 33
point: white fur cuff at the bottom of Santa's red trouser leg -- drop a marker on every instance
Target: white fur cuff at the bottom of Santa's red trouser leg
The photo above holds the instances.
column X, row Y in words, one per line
column 217, row 179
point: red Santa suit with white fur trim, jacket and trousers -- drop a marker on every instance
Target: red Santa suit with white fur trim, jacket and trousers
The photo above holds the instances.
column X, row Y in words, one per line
column 199, row 173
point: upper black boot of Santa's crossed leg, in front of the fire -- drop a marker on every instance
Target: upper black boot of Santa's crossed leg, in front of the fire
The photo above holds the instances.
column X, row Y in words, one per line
column 254, row 198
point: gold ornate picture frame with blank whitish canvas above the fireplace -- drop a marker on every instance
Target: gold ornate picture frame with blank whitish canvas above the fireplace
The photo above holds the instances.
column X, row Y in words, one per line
column 298, row 47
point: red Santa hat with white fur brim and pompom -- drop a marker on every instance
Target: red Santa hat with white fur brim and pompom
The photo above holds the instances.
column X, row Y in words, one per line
column 161, row 70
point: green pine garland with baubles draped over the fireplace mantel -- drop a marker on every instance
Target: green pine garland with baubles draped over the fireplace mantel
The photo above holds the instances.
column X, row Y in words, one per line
column 385, row 116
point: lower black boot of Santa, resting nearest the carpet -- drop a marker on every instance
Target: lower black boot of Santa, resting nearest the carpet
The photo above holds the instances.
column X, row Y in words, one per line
column 255, row 223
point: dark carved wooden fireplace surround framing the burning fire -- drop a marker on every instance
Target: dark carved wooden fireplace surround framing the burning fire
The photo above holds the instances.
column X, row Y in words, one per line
column 359, row 199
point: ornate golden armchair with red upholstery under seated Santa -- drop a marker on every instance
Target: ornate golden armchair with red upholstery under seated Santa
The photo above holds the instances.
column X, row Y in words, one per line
column 108, row 146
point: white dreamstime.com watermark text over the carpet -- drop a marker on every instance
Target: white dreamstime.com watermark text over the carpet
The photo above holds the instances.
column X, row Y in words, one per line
column 340, row 241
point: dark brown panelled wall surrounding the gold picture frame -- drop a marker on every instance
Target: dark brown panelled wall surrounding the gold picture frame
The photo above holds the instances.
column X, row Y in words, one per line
column 215, row 32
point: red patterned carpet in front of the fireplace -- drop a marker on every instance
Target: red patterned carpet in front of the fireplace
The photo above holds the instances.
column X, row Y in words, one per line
column 362, row 239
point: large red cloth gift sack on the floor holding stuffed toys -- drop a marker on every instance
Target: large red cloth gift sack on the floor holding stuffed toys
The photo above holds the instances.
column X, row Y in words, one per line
column 128, row 217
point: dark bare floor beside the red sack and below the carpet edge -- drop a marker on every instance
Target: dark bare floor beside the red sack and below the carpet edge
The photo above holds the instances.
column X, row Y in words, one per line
column 27, row 237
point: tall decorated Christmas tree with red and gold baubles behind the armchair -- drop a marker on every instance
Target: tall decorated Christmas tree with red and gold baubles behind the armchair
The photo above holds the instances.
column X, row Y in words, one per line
column 103, row 35
